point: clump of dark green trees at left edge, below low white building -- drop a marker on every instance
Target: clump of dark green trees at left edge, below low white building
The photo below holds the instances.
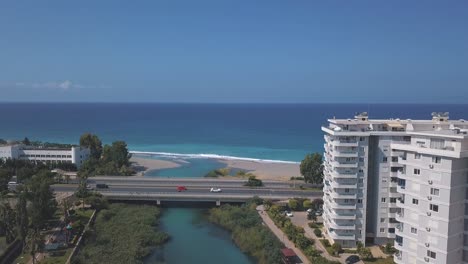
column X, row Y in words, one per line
column 33, row 207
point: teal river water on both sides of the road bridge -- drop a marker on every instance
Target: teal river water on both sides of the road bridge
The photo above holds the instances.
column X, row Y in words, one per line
column 193, row 238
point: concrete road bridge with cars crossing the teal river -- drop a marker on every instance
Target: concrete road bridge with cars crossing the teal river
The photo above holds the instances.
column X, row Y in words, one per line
column 162, row 190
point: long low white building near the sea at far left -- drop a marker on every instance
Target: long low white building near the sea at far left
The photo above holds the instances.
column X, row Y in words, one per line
column 75, row 155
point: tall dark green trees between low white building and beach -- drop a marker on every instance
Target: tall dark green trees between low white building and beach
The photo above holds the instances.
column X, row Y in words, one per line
column 108, row 160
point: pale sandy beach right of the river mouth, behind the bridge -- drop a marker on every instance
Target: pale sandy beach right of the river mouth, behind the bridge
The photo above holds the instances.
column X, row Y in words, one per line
column 265, row 171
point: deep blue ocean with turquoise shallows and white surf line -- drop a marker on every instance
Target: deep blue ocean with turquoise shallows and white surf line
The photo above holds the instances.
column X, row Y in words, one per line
column 283, row 132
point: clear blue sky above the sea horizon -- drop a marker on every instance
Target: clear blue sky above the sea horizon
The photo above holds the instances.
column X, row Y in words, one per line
column 234, row 51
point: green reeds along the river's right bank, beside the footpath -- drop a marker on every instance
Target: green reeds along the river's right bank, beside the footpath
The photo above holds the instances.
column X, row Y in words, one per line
column 248, row 232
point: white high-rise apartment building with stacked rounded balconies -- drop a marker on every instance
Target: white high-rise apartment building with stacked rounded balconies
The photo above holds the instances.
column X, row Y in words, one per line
column 401, row 180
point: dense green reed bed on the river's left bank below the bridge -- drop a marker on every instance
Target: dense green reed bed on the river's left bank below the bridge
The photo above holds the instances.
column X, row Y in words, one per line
column 122, row 234
